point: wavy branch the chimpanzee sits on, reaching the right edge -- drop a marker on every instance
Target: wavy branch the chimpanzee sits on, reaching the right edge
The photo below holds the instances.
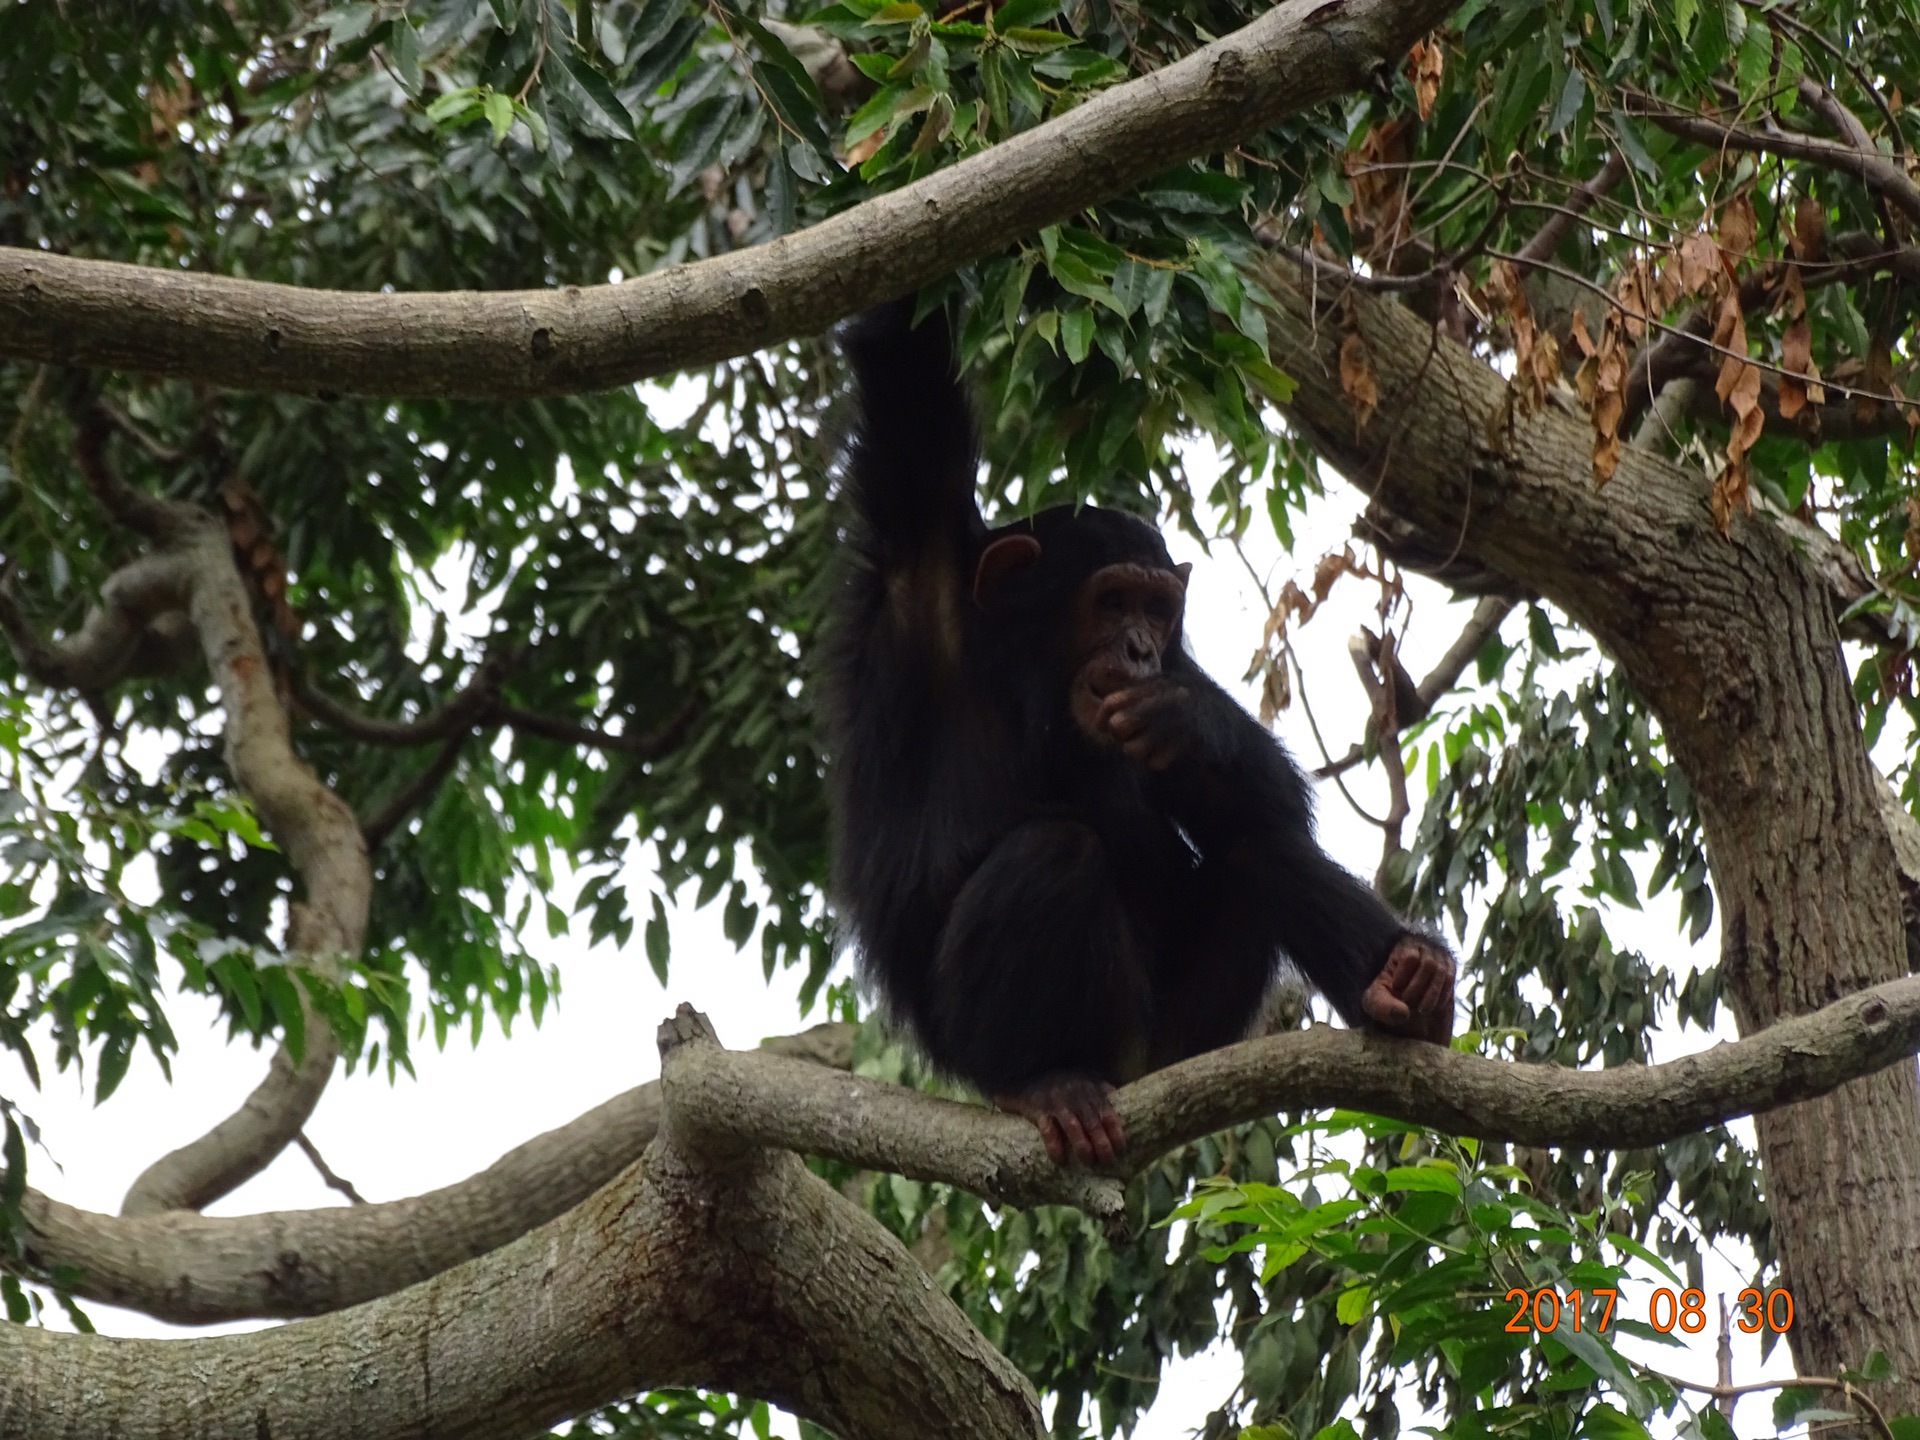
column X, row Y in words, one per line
column 876, row 1126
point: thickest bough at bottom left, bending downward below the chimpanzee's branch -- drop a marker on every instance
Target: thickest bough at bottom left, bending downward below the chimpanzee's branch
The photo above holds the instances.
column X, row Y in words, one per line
column 708, row 1264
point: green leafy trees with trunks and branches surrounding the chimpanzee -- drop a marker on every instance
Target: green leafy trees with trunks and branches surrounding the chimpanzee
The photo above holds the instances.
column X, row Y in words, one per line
column 356, row 588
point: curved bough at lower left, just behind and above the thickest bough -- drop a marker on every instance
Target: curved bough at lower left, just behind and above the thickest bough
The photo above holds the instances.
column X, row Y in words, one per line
column 199, row 1270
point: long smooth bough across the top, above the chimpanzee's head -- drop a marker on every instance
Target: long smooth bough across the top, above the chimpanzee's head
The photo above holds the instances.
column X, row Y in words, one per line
column 266, row 337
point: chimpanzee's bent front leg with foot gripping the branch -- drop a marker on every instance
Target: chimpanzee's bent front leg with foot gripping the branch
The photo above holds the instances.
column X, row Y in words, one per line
column 1040, row 988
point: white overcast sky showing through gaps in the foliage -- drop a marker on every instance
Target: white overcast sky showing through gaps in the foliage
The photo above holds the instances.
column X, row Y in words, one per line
column 473, row 1103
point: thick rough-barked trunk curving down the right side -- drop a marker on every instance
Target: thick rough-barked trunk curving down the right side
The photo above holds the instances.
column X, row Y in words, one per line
column 1733, row 642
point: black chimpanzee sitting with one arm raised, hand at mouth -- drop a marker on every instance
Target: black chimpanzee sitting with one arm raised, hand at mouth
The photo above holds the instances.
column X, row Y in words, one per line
column 1065, row 853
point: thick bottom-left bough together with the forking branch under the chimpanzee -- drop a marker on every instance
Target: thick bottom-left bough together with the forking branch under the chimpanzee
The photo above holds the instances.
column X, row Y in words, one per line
column 729, row 1266
